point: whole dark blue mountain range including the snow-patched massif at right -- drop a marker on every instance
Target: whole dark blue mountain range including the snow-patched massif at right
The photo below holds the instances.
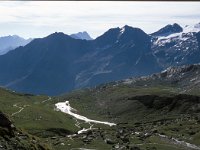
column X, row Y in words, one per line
column 59, row 63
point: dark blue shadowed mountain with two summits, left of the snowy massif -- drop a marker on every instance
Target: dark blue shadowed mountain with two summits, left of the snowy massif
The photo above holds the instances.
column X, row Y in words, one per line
column 67, row 63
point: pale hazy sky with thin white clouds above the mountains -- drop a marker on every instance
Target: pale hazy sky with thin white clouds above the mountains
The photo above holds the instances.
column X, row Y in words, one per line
column 38, row 19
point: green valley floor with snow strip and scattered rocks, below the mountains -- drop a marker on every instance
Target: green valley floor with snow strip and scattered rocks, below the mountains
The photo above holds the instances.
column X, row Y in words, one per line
column 150, row 118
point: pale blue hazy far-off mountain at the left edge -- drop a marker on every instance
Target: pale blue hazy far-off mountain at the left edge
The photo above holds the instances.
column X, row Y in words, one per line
column 8, row 43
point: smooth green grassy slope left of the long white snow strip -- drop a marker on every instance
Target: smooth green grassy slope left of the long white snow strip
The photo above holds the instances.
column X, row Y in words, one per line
column 36, row 116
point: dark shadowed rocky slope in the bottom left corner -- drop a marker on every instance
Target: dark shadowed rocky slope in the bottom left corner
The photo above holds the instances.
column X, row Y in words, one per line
column 13, row 138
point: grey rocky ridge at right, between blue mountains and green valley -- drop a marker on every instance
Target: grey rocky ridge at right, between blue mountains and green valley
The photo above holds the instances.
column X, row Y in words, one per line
column 186, row 78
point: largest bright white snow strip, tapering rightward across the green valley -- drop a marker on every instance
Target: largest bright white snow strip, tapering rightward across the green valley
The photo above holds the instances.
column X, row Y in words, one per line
column 66, row 108
